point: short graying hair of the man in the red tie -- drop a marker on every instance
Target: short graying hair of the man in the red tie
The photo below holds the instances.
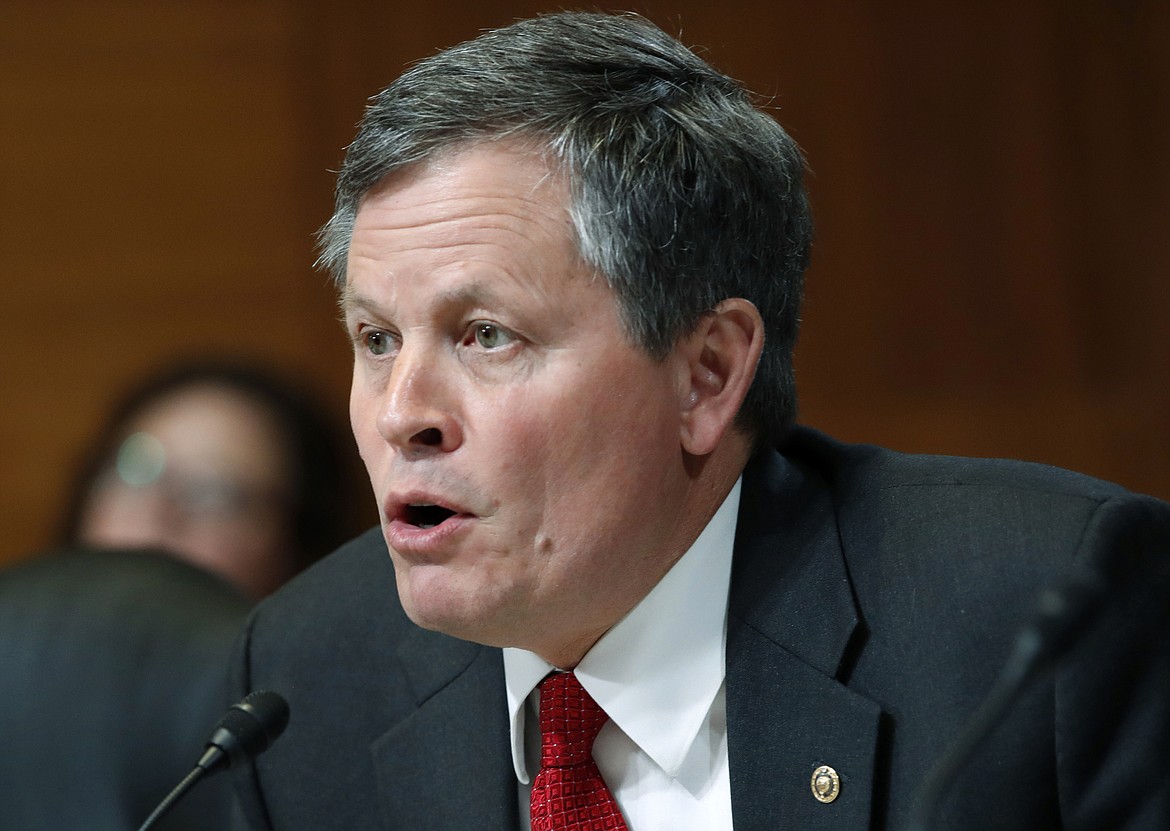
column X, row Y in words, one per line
column 683, row 193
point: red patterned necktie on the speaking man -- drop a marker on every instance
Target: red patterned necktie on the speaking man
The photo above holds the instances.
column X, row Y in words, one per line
column 569, row 793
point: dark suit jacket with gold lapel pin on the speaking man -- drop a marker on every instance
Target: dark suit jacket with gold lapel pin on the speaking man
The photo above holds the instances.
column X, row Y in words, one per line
column 875, row 599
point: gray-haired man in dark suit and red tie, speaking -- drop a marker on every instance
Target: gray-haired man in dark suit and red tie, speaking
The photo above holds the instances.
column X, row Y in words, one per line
column 570, row 258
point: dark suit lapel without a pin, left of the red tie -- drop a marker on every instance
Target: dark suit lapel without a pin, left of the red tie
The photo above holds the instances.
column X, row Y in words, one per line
column 445, row 764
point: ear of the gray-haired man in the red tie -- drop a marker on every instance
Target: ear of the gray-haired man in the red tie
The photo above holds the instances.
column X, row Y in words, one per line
column 721, row 356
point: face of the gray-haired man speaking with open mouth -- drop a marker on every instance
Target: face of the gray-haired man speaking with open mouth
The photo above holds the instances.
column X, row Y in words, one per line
column 525, row 455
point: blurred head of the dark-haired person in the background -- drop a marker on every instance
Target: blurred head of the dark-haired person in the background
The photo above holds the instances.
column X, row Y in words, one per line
column 225, row 465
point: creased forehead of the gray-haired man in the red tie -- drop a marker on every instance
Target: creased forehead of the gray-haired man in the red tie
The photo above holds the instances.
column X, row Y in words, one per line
column 492, row 216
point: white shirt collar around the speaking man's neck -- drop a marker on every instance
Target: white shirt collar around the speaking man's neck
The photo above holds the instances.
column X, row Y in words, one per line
column 659, row 669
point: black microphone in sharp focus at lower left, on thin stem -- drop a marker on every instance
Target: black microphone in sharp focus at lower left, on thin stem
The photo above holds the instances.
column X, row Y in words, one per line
column 246, row 731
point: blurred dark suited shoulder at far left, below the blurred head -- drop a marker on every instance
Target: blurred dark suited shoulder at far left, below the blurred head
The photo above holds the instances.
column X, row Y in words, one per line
column 113, row 670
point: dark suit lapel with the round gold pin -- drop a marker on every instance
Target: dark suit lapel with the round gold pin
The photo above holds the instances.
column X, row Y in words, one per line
column 792, row 623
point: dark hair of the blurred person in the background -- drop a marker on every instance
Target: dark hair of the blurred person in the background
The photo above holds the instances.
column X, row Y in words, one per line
column 325, row 500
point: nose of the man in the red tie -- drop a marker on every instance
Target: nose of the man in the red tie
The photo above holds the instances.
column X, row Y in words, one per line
column 417, row 413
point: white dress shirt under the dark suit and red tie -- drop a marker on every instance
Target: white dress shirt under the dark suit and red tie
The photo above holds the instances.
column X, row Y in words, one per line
column 659, row 676
